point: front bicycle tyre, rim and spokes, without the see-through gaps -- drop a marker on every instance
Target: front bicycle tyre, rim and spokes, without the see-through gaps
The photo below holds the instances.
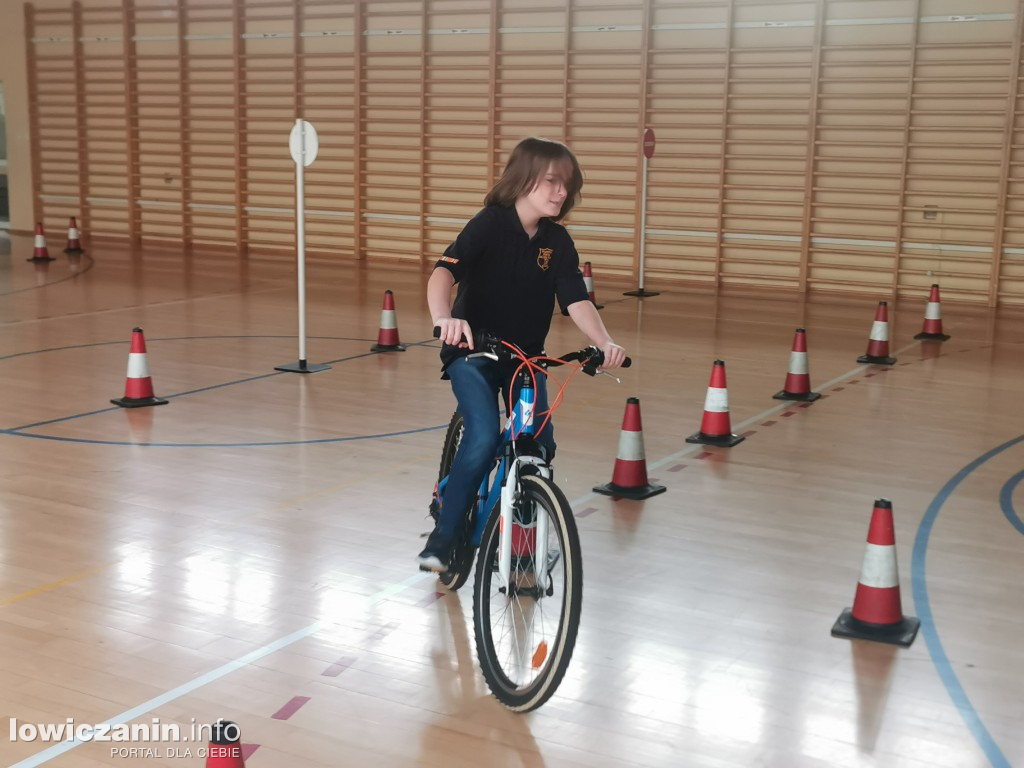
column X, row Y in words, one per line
column 534, row 693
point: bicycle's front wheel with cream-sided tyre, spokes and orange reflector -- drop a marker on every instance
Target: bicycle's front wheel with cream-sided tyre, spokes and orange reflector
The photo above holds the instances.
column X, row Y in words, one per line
column 526, row 631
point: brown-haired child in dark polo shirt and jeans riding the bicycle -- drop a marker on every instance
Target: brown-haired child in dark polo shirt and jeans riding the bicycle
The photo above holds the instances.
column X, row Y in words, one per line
column 511, row 262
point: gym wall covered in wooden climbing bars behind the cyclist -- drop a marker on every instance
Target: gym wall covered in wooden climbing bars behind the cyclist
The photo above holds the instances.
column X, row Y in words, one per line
column 870, row 147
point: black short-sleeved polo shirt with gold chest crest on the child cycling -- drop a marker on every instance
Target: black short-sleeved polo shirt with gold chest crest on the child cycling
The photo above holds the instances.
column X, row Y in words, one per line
column 508, row 282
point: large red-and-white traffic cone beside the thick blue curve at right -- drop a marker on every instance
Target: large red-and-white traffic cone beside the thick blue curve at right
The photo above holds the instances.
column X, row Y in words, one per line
column 877, row 614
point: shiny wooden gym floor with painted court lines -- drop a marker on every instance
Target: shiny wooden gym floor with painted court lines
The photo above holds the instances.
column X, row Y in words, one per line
column 246, row 551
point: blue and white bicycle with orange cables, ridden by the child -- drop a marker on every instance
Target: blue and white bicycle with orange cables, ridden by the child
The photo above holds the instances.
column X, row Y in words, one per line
column 528, row 596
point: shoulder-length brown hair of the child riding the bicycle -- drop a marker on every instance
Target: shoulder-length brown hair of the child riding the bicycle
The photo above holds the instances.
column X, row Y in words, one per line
column 530, row 160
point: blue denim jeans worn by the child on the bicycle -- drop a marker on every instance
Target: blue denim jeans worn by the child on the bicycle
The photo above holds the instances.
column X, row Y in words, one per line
column 477, row 383
